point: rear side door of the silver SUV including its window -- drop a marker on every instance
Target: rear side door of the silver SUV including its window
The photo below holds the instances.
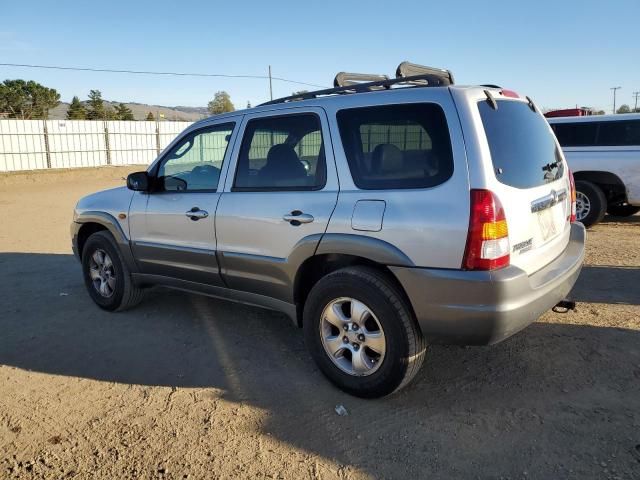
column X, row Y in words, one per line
column 279, row 195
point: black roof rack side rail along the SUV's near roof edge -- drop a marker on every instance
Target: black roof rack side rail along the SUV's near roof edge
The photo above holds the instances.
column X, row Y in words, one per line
column 424, row 80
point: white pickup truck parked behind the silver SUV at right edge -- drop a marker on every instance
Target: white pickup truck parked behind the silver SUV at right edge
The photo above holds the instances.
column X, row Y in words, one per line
column 603, row 151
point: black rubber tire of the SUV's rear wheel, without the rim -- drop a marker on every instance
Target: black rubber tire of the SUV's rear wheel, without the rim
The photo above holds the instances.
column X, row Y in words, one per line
column 405, row 346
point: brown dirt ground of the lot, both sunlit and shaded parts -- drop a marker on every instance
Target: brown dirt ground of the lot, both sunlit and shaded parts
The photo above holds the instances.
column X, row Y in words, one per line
column 186, row 386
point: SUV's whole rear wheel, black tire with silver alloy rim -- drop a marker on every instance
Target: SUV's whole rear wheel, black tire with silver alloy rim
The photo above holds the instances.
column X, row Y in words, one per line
column 362, row 333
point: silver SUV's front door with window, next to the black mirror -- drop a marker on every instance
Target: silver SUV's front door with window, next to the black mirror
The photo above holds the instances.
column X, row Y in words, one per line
column 173, row 226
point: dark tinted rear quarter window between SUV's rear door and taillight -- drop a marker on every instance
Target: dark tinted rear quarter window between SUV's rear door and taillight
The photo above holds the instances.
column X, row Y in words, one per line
column 397, row 146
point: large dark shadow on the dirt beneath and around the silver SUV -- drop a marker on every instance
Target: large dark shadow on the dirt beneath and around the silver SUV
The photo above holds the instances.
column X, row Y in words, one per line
column 517, row 400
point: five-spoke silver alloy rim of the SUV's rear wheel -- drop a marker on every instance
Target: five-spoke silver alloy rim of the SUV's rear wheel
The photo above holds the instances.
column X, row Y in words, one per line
column 352, row 336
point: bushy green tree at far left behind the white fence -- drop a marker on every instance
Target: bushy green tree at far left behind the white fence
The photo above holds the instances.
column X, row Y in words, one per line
column 27, row 99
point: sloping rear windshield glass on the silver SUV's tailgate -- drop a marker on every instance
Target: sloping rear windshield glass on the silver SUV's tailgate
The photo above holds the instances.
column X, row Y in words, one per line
column 523, row 149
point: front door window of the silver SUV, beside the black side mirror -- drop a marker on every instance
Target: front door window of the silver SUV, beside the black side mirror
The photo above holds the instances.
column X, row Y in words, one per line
column 195, row 162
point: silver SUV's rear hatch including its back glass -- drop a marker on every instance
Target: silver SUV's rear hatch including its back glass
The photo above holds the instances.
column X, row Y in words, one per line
column 532, row 181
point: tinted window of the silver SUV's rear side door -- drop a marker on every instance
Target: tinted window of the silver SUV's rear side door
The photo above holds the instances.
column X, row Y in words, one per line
column 282, row 153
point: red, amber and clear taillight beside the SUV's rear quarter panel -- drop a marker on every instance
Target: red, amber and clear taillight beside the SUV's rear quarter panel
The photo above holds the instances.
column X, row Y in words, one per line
column 488, row 237
